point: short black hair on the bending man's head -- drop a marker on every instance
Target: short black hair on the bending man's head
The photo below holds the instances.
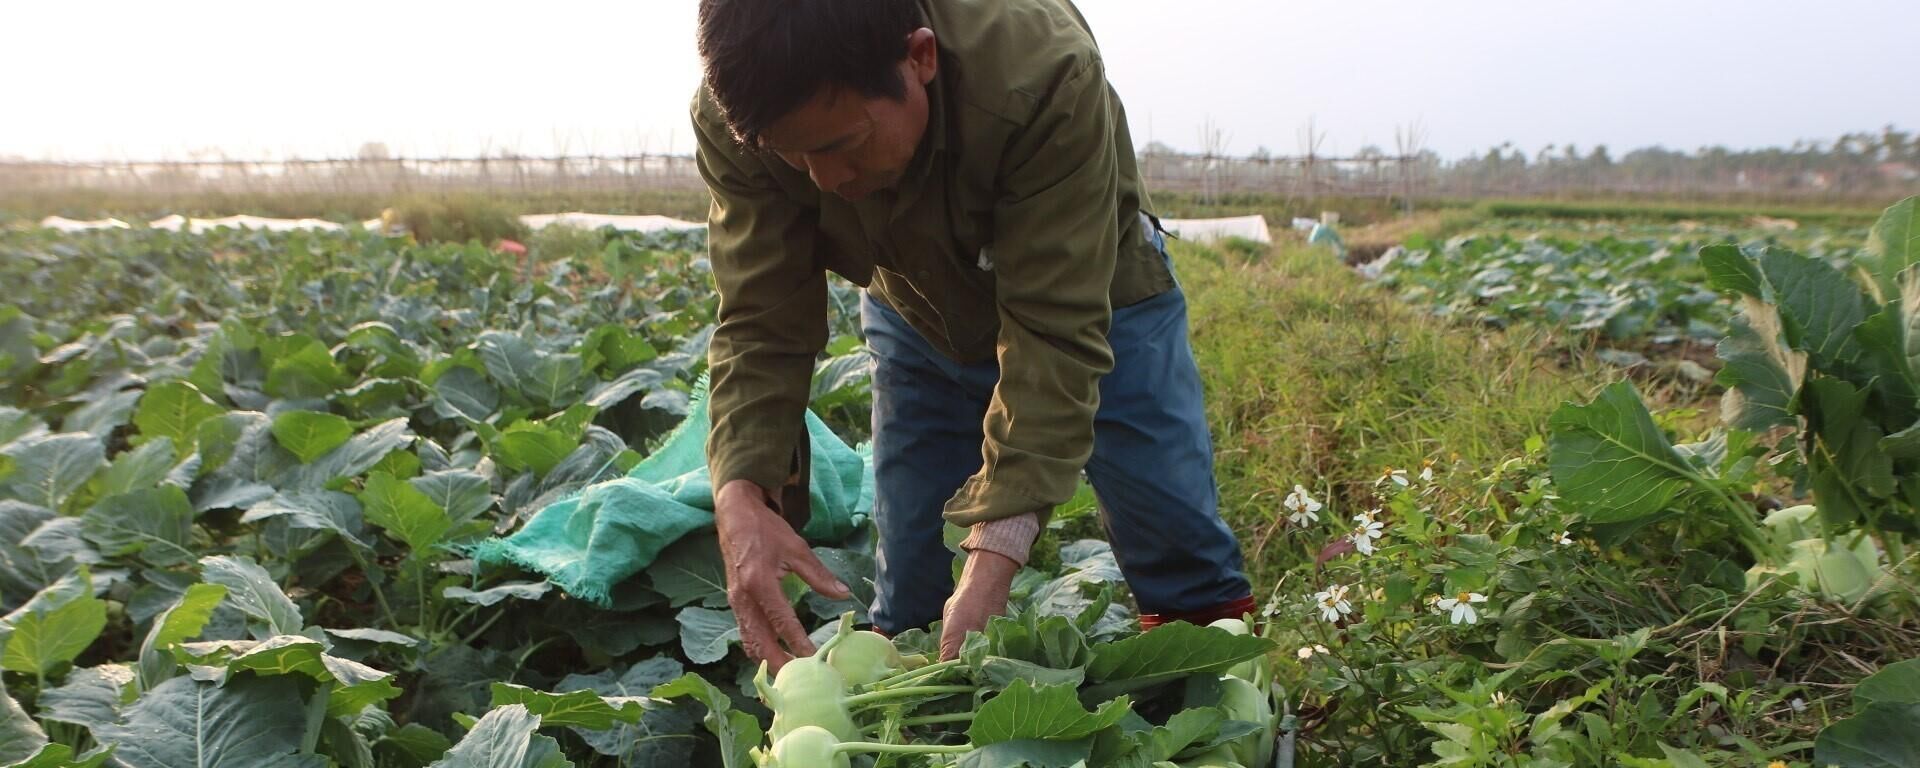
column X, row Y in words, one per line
column 765, row 59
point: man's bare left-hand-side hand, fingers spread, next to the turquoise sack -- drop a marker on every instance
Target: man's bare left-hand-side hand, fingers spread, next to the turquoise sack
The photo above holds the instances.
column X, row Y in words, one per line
column 759, row 550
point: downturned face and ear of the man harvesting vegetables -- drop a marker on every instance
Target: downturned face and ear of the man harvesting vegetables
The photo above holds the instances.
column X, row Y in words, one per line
column 853, row 145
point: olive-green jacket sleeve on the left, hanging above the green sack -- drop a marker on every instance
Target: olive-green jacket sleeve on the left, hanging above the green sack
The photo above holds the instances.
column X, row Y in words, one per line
column 773, row 318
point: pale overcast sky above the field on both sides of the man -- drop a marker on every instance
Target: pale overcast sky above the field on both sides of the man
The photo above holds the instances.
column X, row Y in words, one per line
column 156, row 80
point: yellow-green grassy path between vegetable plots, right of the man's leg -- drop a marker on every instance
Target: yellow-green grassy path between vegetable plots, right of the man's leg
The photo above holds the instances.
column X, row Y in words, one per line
column 1320, row 379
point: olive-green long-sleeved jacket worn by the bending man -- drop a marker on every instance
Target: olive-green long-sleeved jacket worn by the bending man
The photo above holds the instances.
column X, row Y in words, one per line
column 1013, row 237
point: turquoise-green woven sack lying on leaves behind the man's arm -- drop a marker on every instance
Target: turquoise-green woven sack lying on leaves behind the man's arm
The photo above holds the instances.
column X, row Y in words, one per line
column 592, row 540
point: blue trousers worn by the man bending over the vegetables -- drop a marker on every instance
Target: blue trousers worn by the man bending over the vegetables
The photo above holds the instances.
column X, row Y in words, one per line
column 1153, row 466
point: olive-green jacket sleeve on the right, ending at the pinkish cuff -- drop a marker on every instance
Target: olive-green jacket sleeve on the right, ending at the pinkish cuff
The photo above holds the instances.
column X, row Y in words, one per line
column 1053, row 260
